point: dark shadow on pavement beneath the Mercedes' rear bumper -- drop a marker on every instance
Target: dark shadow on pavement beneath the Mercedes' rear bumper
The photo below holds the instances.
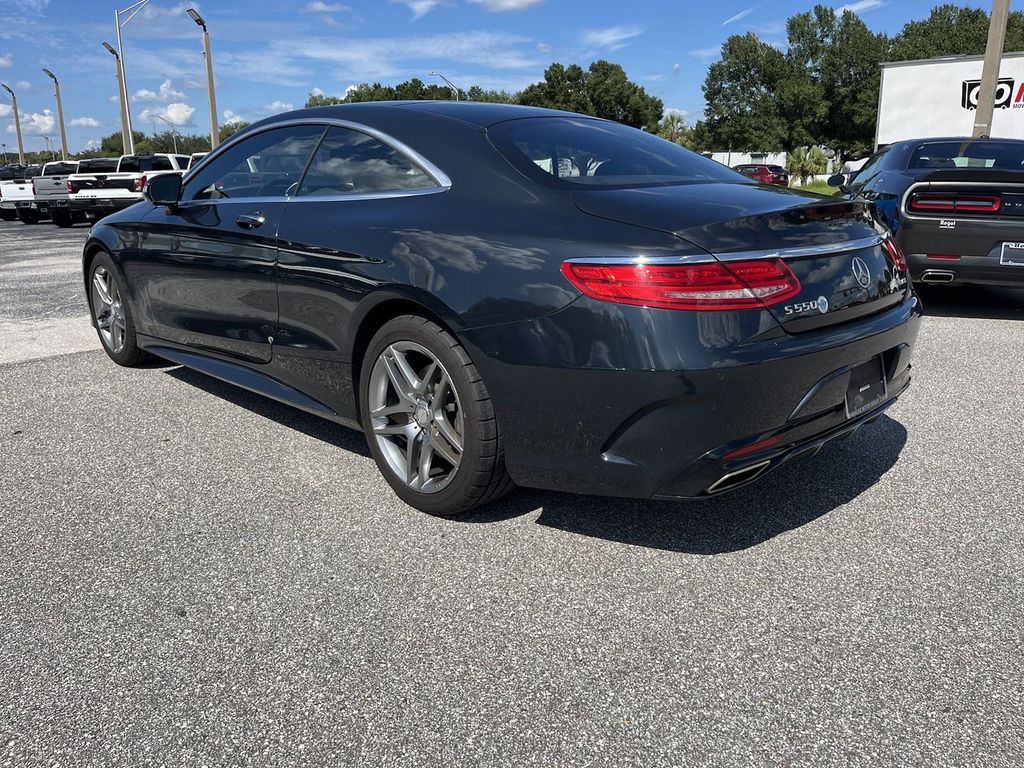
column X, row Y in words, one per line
column 796, row 494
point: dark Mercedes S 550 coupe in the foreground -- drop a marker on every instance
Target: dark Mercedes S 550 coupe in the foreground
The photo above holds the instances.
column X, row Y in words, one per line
column 501, row 295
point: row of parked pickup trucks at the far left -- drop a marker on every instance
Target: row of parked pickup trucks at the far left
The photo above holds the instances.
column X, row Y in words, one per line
column 76, row 191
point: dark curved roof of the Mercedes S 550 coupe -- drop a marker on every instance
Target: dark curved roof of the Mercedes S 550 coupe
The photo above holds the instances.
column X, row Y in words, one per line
column 481, row 114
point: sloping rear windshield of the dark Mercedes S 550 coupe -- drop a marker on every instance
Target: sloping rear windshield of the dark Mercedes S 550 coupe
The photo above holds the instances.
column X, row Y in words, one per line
column 583, row 152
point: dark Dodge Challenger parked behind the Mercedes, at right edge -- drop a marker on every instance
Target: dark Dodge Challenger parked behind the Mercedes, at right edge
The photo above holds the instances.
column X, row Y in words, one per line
column 956, row 207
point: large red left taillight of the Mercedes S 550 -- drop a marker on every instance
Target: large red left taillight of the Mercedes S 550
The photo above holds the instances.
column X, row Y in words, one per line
column 710, row 286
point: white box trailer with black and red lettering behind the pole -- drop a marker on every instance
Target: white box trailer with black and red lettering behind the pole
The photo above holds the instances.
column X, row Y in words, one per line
column 938, row 98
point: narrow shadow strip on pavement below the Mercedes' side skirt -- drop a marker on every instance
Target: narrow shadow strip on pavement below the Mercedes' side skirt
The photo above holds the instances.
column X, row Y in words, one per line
column 293, row 418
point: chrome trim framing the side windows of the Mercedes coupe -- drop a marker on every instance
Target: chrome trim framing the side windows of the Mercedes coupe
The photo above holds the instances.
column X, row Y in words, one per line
column 440, row 178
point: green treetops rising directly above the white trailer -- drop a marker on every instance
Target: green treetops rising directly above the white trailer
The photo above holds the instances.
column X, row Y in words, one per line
column 952, row 30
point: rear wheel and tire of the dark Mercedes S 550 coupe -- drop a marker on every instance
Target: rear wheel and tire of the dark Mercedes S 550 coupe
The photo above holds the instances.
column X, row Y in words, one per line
column 430, row 420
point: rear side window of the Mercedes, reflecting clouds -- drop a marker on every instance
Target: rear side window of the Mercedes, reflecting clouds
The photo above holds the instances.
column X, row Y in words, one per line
column 353, row 163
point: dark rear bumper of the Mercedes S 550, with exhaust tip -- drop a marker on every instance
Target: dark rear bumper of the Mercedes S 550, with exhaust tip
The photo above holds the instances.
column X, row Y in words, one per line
column 654, row 433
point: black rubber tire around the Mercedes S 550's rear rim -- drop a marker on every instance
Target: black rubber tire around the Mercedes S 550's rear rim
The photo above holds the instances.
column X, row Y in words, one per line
column 481, row 477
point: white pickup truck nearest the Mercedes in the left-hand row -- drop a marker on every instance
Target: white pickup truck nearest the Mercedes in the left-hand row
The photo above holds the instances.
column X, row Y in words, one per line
column 95, row 193
